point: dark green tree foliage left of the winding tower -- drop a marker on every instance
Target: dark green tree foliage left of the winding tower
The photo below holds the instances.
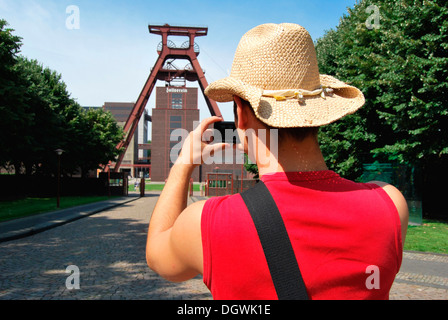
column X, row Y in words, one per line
column 38, row 116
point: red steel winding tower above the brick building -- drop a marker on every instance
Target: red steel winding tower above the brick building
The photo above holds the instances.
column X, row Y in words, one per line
column 168, row 51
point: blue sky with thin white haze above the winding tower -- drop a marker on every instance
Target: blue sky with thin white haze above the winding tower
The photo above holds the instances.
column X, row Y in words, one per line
column 111, row 54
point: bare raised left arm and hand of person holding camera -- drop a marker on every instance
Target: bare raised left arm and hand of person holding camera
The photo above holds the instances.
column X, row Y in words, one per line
column 174, row 245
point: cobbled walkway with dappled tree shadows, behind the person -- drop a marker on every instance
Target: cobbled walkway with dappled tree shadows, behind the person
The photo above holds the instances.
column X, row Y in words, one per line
column 109, row 250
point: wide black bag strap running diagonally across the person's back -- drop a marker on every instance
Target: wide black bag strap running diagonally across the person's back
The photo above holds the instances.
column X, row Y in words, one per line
column 276, row 244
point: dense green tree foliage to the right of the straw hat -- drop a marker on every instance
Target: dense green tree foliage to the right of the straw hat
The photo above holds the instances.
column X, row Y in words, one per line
column 402, row 69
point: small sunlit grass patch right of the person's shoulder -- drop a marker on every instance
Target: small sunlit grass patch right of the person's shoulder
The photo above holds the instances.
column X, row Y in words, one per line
column 431, row 236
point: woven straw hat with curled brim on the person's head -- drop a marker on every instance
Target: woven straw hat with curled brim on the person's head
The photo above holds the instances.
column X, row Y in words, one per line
column 275, row 69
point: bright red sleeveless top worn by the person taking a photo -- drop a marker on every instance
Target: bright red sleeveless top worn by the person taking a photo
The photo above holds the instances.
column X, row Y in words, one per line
column 346, row 237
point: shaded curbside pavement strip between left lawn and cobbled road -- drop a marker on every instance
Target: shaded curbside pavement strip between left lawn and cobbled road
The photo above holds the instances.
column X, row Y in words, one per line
column 47, row 221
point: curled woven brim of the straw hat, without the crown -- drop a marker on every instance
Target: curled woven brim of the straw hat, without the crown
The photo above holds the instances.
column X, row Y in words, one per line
column 314, row 111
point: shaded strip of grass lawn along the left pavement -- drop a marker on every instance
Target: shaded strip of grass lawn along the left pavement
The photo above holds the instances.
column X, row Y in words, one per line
column 30, row 206
